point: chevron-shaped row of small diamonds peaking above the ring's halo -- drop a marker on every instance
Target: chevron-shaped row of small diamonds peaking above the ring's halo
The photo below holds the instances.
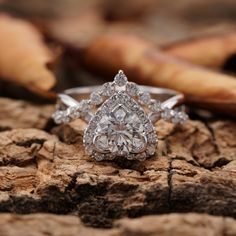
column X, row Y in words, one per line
column 84, row 108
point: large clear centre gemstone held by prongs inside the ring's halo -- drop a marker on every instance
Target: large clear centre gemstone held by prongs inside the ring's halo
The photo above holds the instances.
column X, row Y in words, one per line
column 121, row 132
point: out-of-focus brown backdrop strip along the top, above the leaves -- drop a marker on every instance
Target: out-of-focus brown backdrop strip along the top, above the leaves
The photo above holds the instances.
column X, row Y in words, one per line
column 160, row 21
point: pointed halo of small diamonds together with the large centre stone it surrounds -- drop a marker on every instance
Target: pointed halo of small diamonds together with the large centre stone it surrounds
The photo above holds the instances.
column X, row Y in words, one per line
column 120, row 129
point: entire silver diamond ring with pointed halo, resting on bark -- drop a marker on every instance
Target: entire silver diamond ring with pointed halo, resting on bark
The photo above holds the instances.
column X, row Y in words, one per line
column 120, row 116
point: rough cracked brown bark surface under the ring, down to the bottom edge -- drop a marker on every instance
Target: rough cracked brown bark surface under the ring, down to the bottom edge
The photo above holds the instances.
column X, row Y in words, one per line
column 43, row 168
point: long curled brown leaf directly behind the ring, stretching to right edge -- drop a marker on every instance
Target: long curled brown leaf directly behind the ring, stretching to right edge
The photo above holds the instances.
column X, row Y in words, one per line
column 145, row 64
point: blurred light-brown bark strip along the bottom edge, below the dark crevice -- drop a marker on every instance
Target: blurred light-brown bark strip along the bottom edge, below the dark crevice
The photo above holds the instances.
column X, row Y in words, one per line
column 171, row 224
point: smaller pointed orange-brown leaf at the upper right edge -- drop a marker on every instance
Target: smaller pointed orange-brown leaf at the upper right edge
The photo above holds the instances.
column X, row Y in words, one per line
column 211, row 51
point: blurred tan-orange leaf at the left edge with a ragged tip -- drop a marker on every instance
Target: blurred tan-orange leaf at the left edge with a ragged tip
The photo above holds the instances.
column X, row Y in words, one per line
column 24, row 57
